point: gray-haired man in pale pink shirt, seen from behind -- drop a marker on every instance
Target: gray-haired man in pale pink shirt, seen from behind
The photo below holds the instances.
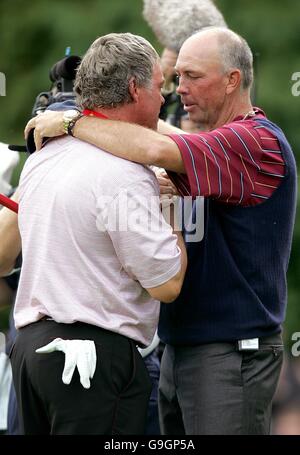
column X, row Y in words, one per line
column 94, row 269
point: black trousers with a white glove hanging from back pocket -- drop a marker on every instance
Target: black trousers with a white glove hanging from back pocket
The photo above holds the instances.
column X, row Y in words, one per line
column 116, row 402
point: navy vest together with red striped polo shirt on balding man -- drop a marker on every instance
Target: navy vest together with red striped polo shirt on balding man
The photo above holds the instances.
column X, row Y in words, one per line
column 235, row 284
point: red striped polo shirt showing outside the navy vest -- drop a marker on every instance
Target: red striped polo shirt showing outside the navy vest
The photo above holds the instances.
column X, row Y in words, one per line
column 239, row 163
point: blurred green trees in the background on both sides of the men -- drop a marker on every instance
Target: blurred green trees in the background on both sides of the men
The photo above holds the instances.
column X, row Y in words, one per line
column 35, row 33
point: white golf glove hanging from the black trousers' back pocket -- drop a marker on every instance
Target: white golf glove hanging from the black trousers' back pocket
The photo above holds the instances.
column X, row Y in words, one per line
column 80, row 353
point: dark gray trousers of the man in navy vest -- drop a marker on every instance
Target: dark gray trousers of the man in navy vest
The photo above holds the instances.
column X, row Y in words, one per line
column 216, row 389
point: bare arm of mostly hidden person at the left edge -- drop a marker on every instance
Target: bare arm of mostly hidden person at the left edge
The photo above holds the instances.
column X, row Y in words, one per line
column 10, row 241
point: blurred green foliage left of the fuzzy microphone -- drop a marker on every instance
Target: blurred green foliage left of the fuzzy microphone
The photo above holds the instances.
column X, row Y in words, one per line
column 34, row 35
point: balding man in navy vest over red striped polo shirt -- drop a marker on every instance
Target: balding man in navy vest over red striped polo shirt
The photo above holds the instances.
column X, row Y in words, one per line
column 223, row 350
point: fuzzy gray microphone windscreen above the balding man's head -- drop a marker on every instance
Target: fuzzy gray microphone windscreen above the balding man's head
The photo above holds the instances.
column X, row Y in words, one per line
column 173, row 21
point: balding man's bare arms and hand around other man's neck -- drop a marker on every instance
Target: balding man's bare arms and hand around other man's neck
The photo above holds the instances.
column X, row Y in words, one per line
column 126, row 140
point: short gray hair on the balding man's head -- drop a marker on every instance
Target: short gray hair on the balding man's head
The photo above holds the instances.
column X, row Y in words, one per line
column 235, row 53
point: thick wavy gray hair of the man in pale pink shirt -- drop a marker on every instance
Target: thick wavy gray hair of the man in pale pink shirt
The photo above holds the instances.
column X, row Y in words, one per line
column 103, row 76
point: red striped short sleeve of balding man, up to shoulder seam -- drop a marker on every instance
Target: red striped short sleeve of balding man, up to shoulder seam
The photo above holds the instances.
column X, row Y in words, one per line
column 222, row 164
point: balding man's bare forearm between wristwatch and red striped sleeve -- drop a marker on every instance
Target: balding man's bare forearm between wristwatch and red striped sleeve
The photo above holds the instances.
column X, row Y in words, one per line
column 131, row 142
